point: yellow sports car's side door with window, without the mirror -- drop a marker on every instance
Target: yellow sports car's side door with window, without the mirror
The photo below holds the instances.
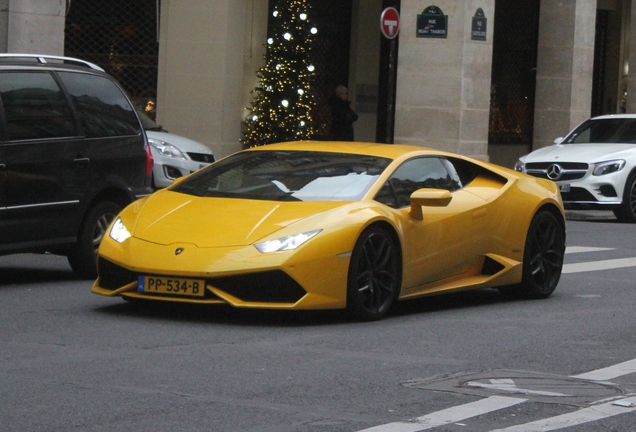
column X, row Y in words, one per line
column 449, row 239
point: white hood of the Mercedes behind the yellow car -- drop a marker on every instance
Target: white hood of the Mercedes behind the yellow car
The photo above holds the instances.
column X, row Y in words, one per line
column 588, row 153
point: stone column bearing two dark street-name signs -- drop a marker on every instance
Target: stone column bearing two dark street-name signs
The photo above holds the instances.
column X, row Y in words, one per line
column 443, row 84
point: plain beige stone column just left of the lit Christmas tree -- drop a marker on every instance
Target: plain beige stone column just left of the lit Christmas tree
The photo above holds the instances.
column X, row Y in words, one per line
column 200, row 79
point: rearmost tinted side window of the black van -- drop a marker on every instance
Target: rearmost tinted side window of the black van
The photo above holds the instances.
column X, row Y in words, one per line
column 102, row 107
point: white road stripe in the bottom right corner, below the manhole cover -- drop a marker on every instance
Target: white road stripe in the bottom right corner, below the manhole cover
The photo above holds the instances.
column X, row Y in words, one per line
column 575, row 418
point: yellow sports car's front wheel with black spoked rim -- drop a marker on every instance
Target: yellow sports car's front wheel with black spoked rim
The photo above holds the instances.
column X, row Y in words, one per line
column 374, row 275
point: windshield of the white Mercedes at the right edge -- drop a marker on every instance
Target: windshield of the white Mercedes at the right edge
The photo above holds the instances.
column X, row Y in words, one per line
column 610, row 130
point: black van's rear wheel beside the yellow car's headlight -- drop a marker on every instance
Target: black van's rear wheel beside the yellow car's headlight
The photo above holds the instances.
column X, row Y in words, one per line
column 83, row 257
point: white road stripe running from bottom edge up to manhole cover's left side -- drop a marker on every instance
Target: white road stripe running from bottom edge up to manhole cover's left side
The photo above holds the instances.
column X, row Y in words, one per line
column 450, row 415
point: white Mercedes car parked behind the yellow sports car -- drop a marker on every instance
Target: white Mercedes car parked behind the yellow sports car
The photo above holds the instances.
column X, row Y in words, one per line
column 594, row 165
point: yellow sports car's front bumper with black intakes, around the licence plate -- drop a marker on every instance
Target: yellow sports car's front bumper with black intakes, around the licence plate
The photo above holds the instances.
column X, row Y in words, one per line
column 238, row 276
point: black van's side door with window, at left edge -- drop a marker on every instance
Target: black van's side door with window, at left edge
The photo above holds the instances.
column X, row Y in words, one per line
column 42, row 157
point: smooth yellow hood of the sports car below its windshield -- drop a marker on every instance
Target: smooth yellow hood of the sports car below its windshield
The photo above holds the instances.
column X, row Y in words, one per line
column 168, row 217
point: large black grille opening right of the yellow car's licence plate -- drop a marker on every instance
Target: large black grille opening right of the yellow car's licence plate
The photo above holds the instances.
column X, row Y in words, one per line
column 265, row 287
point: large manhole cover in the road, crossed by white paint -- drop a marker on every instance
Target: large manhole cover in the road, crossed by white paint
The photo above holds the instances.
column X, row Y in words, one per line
column 524, row 384
